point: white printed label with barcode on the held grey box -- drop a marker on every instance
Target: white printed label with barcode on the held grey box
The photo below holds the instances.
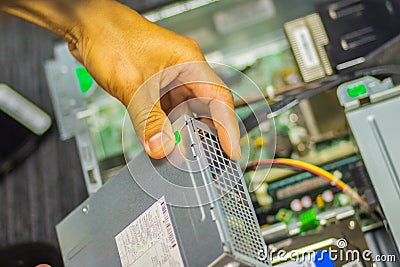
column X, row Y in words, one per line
column 150, row 239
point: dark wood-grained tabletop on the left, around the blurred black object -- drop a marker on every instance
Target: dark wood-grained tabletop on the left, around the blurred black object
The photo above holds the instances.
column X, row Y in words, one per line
column 49, row 184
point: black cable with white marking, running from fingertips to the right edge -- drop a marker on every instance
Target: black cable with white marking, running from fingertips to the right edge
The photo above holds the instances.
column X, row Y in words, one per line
column 263, row 114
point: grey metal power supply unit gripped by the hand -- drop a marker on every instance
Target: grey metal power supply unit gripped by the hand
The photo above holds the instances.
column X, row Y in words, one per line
column 189, row 209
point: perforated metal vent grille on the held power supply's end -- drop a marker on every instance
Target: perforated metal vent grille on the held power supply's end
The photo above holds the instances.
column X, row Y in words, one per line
column 243, row 227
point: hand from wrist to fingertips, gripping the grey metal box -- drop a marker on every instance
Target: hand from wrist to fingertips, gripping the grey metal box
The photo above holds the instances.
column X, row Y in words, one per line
column 122, row 50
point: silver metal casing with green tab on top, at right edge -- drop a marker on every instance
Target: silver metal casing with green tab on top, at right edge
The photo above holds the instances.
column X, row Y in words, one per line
column 373, row 117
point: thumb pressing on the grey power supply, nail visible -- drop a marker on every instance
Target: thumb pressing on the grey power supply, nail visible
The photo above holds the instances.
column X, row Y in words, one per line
column 152, row 126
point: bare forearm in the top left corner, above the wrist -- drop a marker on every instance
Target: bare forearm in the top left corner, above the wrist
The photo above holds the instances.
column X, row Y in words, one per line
column 63, row 17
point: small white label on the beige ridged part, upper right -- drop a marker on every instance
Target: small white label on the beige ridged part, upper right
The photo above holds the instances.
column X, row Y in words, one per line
column 306, row 47
